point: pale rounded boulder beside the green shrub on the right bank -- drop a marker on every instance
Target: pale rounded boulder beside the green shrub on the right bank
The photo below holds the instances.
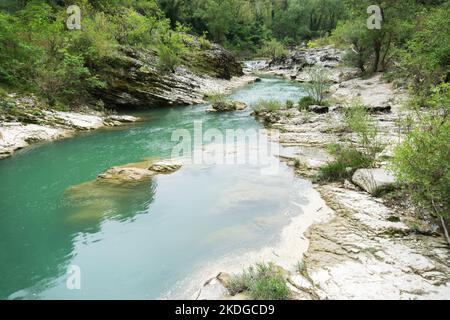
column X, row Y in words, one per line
column 373, row 180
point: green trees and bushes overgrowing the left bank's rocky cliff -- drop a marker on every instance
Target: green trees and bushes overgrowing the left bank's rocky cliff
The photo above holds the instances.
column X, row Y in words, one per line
column 65, row 68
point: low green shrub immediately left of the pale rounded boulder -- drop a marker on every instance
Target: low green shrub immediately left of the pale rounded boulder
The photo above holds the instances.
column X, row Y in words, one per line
column 347, row 161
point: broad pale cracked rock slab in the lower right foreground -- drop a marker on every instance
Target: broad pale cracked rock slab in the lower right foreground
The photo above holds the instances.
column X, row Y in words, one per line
column 364, row 253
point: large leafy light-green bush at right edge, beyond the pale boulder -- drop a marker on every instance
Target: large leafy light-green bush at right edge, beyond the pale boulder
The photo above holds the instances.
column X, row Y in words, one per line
column 422, row 160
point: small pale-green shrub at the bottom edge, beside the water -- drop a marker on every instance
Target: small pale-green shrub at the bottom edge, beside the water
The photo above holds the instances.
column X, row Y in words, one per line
column 261, row 282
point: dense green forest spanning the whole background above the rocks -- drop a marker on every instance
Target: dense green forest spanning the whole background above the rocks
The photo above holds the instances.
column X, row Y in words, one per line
column 38, row 53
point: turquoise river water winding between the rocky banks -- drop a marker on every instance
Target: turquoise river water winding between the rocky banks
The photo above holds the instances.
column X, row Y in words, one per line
column 135, row 243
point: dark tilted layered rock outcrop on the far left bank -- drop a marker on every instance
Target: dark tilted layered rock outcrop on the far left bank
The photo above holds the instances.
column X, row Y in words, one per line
column 134, row 78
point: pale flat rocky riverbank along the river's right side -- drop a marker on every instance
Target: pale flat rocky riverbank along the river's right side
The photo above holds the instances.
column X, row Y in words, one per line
column 366, row 247
